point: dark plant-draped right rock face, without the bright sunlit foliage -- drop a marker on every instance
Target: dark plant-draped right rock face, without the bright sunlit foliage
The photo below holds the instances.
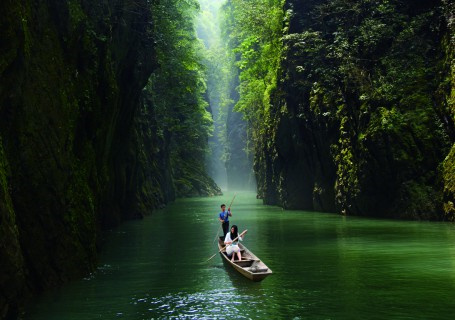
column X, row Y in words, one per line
column 363, row 115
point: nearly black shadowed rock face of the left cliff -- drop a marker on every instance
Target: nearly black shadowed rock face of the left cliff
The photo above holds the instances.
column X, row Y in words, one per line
column 76, row 138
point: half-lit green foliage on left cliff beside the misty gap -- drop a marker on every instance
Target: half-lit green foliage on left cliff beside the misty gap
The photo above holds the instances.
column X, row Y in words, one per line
column 177, row 89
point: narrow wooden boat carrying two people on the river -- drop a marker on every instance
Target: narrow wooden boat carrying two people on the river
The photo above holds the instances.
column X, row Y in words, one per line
column 250, row 266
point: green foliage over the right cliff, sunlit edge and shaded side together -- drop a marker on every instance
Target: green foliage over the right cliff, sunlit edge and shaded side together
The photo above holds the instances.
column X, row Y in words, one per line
column 358, row 78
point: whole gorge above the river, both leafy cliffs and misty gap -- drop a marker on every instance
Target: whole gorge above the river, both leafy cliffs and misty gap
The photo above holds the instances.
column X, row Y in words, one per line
column 112, row 109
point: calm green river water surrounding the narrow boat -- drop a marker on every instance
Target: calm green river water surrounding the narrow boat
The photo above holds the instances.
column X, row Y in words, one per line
column 325, row 266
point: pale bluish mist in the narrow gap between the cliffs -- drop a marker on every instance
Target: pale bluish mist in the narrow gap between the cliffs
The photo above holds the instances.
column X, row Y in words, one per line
column 229, row 162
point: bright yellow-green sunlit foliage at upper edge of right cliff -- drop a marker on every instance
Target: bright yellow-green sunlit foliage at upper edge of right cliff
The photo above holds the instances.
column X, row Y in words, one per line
column 252, row 30
